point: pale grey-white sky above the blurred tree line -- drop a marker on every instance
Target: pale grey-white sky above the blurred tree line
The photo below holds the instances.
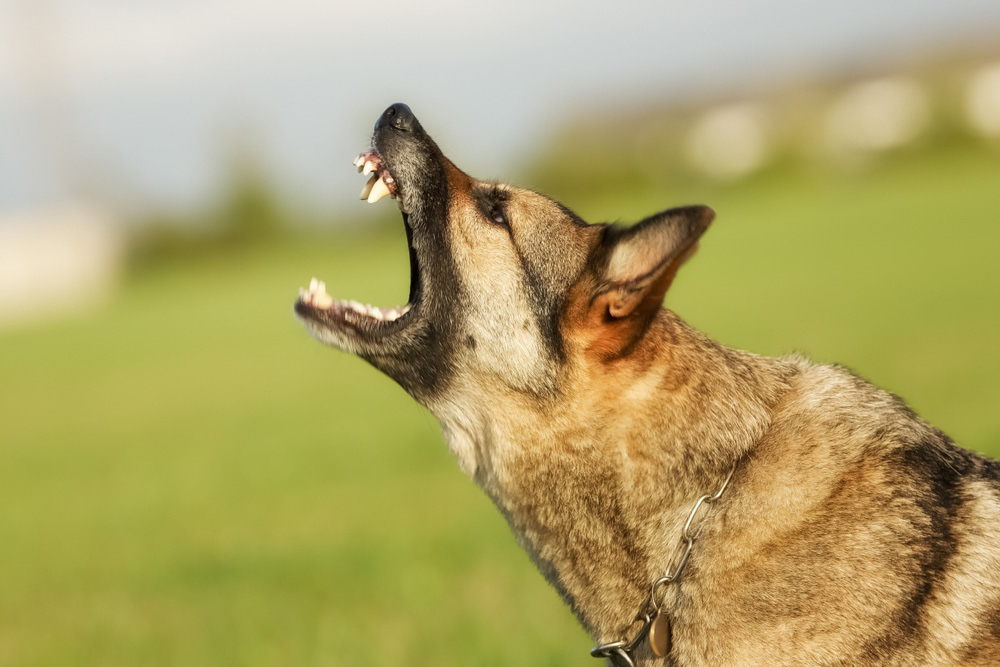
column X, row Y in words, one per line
column 145, row 99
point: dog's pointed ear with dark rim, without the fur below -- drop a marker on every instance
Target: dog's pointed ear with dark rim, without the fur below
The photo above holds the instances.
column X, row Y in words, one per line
column 641, row 262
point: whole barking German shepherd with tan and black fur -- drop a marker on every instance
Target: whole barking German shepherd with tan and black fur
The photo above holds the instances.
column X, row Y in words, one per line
column 850, row 531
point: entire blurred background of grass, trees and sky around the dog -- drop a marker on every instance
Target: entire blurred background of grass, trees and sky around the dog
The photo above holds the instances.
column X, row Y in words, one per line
column 187, row 478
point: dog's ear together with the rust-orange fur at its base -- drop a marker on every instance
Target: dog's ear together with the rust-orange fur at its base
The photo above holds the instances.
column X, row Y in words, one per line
column 633, row 268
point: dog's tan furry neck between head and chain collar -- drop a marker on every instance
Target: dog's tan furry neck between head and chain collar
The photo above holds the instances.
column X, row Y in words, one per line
column 597, row 480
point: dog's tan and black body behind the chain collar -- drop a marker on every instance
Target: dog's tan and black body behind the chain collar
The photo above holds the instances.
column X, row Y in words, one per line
column 858, row 535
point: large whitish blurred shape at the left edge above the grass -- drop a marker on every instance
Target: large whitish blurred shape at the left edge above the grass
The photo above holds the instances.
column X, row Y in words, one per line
column 56, row 261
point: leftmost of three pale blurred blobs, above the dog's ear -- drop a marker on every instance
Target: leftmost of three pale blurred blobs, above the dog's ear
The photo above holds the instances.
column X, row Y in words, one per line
column 729, row 141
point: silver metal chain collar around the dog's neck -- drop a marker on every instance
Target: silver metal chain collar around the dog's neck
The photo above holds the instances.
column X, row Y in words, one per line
column 621, row 652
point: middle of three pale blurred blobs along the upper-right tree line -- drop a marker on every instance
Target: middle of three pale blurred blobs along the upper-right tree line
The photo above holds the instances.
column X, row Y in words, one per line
column 878, row 115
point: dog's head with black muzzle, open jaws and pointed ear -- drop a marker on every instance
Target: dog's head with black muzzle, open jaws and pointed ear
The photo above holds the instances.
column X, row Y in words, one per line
column 508, row 289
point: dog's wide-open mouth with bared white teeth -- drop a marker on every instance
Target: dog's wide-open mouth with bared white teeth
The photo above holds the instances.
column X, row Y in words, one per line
column 364, row 319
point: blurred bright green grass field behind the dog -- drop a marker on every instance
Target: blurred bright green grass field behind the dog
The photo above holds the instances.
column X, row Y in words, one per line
column 187, row 479
